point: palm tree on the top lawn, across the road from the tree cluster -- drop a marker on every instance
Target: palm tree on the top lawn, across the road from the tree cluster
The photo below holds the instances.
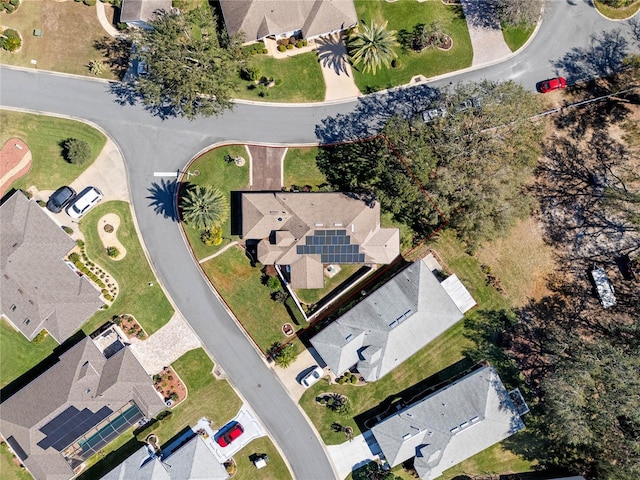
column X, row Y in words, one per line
column 372, row 46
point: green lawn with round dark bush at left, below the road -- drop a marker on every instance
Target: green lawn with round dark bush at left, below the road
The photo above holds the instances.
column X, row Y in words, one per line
column 44, row 135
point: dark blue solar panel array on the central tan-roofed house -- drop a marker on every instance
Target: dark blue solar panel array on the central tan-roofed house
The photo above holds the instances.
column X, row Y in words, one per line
column 334, row 246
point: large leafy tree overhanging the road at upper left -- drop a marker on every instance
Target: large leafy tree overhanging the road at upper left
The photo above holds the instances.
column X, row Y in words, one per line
column 191, row 66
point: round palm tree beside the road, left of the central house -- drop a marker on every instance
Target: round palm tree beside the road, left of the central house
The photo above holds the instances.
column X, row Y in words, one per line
column 204, row 207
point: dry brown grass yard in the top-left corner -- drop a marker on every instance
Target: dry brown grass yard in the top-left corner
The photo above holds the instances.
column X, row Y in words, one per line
column 70, row 30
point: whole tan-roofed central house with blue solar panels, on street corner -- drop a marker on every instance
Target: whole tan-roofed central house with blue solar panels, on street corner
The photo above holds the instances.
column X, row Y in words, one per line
column 305, row 231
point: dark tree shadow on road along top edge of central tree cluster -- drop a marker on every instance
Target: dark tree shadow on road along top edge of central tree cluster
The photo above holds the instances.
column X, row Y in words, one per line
column 373, row 111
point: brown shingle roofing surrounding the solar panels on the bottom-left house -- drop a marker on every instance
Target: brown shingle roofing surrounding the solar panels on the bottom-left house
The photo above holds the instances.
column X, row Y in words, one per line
column 82, row 379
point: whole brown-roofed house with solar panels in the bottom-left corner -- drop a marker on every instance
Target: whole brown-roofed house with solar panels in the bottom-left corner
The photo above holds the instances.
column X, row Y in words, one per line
column 75, row 408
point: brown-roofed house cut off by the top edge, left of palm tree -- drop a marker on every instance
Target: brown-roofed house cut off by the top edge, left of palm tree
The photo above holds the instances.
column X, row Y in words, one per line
column 258, row 19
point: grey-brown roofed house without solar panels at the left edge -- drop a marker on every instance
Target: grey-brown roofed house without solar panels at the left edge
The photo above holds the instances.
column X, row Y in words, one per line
column 38, row 290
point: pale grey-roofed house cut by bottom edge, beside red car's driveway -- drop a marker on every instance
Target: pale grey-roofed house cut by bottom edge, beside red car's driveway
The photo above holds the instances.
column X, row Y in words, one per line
column 192, row 460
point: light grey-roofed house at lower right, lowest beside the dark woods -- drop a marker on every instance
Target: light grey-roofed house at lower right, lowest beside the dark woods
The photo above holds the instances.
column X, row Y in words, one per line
column 450, row 425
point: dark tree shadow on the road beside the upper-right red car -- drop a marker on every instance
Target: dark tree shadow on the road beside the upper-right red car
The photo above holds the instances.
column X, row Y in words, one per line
column 601, row 58
